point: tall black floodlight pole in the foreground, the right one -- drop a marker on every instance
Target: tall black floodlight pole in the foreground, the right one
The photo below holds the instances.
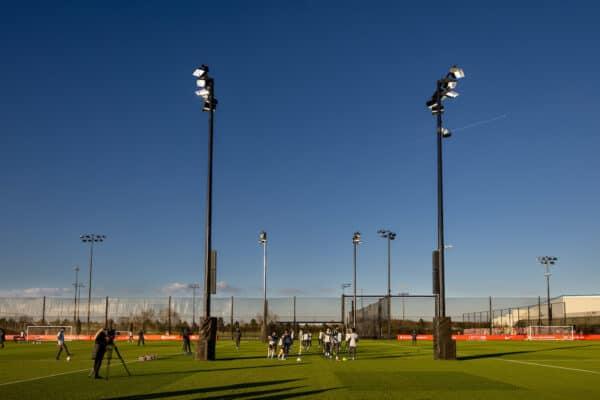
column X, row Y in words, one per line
column 445, row 347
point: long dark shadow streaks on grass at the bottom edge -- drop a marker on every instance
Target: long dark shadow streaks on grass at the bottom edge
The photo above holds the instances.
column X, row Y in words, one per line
column 238, row 386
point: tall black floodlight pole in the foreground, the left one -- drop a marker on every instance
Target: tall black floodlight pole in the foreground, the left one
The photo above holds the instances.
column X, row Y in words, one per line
column 207, row 337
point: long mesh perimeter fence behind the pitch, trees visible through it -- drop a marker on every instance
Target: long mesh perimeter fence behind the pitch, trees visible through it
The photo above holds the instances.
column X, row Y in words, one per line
column 375, row 316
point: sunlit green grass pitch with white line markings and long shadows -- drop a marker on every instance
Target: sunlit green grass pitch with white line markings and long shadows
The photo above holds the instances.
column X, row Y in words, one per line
column 384, row 370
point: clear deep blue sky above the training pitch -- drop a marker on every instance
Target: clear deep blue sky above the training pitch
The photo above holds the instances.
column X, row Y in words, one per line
column 321, row 130
